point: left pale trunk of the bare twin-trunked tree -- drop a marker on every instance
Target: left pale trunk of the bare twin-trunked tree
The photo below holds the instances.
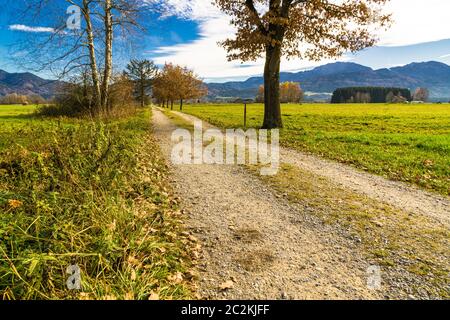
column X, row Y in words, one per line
column 92, row 57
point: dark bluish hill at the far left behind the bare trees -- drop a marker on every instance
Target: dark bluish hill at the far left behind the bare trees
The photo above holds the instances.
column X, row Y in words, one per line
column 27, row 83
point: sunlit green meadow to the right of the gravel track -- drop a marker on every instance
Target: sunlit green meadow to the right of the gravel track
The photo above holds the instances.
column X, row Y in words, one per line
column 409, row 143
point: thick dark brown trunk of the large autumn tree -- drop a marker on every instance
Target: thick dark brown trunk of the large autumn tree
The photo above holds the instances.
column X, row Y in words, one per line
column 272, row 108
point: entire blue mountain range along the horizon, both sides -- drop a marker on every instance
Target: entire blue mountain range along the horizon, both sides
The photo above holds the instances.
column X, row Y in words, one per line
column 318, row 83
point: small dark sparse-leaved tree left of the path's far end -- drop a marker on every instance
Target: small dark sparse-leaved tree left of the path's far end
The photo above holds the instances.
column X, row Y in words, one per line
column 142, row 72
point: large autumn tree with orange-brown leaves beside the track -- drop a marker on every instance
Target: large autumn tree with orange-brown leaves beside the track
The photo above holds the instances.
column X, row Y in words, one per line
column 312, row 29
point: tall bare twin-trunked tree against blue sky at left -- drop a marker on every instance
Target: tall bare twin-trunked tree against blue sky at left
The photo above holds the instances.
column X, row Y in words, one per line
column 69, row 51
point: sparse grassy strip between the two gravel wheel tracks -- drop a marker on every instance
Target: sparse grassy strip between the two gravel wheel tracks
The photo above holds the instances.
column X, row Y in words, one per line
column 412, row 249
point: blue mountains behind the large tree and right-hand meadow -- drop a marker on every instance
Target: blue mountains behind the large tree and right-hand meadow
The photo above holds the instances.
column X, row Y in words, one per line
column 323, row 80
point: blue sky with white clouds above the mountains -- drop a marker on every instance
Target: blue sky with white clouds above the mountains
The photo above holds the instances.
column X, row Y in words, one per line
column 189, row 30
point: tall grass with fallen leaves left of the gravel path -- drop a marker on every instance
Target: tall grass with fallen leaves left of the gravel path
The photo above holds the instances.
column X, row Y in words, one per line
column 92, row 194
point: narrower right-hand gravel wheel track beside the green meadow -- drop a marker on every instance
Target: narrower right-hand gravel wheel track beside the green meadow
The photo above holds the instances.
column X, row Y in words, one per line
column 397, row 194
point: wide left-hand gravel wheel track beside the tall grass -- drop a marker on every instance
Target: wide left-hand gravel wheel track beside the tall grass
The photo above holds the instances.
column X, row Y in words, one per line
column 257, row 245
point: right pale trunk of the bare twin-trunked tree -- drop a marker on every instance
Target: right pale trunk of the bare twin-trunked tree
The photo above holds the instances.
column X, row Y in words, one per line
column 108, row 53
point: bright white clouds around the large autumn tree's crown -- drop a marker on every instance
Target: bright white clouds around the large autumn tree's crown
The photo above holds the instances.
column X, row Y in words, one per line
column 415, row 21
